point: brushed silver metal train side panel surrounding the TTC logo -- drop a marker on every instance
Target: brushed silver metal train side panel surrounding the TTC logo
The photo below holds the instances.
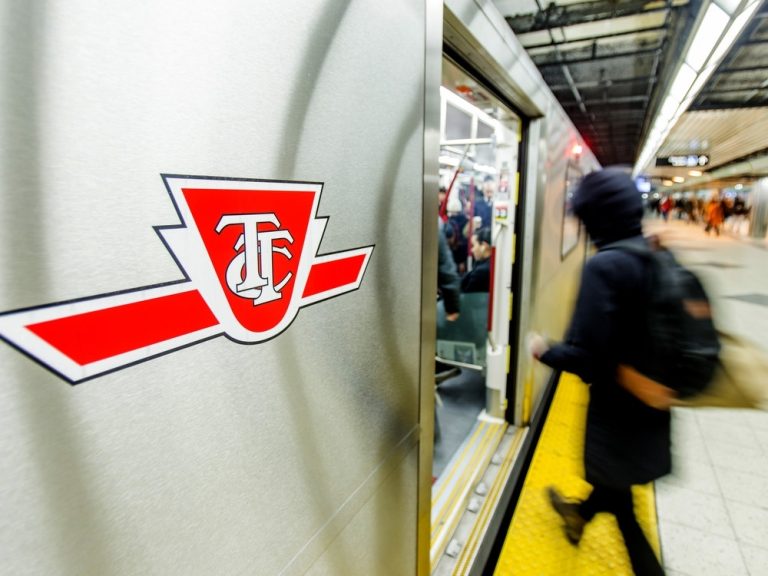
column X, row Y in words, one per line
column 220, row 458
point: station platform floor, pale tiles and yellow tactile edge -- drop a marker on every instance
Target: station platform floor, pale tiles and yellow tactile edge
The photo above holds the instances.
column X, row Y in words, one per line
column 710, row 516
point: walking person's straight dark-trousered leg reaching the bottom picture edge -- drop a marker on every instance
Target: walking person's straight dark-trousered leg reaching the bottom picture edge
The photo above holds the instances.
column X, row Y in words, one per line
column 641, row 555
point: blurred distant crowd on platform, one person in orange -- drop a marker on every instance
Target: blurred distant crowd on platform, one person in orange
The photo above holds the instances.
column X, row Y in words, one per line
column 711, row 213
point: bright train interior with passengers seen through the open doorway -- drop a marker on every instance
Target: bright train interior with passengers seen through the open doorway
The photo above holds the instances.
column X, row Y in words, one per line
column 479, row 143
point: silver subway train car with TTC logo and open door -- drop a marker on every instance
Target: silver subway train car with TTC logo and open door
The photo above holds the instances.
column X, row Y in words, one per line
column 220, row 229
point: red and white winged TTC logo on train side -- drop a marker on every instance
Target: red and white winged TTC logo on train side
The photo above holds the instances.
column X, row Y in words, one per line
column 248, row 251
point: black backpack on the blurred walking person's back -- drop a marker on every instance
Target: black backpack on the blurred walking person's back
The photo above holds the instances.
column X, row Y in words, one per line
column 683, row 344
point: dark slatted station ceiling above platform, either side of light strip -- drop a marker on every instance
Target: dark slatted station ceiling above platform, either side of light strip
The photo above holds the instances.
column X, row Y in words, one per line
column 609, row 63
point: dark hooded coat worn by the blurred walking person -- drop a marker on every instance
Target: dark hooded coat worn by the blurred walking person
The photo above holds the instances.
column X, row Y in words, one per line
column 627, row 442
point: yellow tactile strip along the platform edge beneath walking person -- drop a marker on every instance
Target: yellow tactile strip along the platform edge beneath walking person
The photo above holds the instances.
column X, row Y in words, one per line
column 535, row 544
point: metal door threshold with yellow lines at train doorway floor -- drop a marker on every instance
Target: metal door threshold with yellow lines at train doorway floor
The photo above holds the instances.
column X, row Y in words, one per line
column 467, row 494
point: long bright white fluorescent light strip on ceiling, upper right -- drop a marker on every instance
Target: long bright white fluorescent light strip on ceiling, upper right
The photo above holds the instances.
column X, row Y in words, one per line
column 713, row 32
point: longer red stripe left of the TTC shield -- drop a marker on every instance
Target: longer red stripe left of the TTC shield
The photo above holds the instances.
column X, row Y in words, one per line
column 101, row 334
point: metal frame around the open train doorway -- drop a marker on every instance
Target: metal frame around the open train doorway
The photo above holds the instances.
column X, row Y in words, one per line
column 453, row 30
